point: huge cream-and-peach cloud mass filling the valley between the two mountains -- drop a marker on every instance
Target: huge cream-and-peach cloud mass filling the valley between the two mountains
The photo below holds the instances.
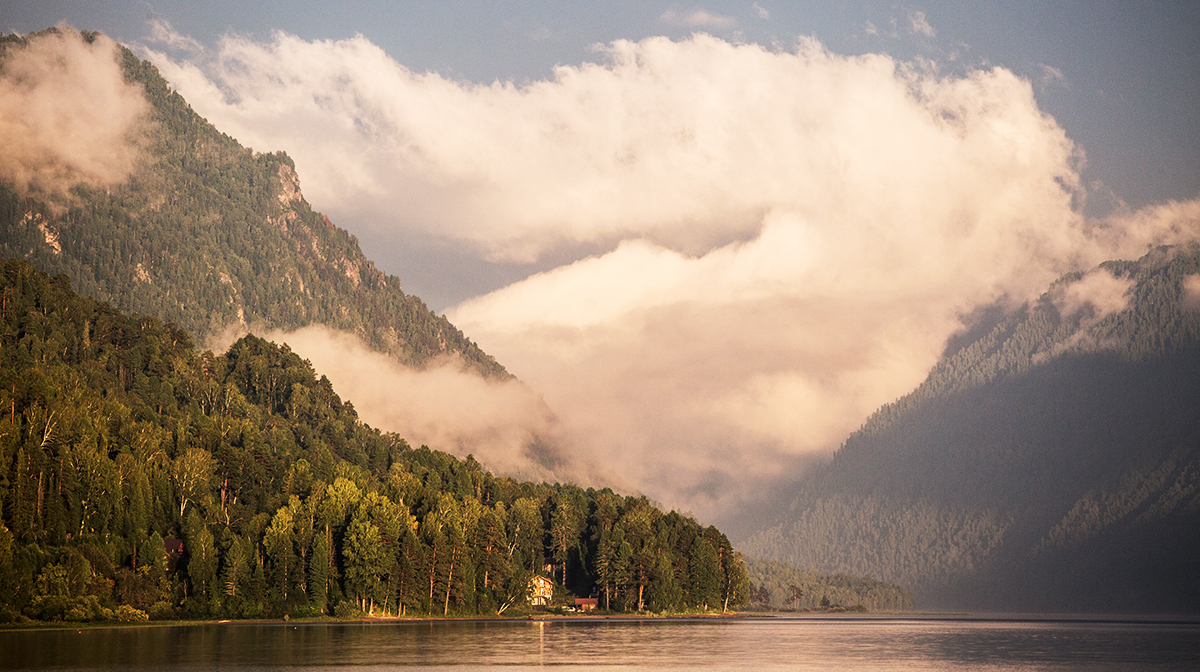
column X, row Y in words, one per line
column 781, row 241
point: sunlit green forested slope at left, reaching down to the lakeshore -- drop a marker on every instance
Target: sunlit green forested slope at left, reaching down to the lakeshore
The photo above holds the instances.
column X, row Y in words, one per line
column 140, row 476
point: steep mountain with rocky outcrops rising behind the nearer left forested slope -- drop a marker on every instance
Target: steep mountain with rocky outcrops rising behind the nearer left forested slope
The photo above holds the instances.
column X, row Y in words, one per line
column 209, row 235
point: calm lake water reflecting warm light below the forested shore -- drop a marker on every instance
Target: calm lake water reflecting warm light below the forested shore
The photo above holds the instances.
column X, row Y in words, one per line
column 742, row 644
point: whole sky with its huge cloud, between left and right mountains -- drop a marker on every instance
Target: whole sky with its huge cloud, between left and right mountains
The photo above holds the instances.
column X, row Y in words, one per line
column 712, row 238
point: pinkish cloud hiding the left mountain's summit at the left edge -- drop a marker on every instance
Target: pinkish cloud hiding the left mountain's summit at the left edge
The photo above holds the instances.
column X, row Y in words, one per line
column 68, row 117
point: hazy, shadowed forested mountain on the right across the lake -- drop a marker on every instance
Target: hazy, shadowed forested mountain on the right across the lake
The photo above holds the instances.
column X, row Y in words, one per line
column 1052, row 463
